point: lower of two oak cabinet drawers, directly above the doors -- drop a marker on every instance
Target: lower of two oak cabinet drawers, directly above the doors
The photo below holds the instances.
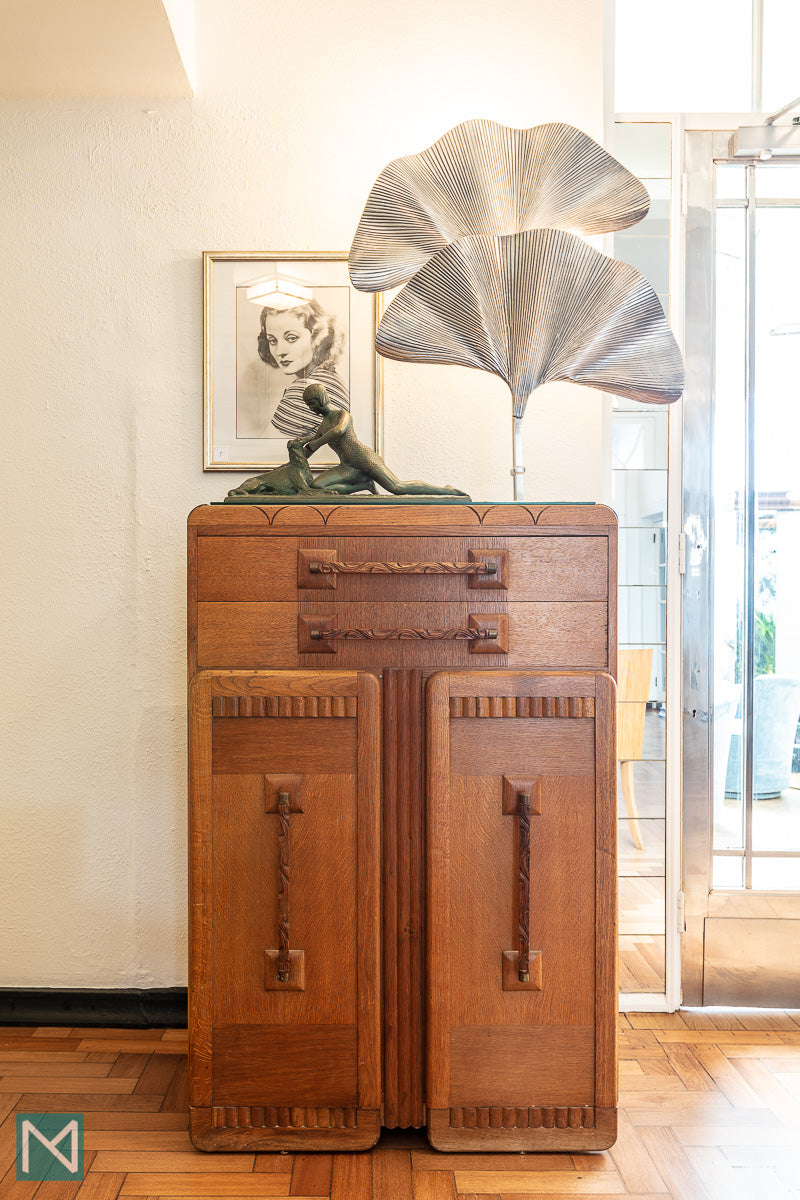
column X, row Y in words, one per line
column 279, row 635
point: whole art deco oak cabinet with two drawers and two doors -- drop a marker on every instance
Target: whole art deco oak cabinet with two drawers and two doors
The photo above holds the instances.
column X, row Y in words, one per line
column 402, row 826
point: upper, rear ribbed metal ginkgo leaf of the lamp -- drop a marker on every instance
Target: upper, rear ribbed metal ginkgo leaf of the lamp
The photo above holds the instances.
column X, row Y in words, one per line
column 484, row 178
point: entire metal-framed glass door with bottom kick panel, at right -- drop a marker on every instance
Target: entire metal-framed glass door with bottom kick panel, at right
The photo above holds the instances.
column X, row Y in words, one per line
column 743, row 688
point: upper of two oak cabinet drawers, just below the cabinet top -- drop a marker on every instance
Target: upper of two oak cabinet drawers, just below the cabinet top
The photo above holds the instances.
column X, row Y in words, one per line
column 414, row 569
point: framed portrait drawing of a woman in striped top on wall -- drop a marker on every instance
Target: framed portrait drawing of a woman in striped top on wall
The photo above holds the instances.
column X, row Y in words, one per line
column 273, row 325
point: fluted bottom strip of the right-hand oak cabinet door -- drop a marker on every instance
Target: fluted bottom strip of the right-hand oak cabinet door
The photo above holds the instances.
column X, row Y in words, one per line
column 575, row 1130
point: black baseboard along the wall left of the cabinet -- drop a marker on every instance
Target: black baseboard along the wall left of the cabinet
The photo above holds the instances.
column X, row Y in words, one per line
column 137, row 1009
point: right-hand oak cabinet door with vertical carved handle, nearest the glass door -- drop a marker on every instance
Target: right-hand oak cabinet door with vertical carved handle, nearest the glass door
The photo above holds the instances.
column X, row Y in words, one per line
column 521, row 911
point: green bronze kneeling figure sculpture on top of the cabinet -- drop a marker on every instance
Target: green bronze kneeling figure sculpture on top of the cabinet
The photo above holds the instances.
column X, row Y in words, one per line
column 360, row 469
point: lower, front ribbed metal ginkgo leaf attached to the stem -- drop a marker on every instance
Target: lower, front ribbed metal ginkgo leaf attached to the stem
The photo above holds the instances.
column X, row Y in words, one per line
column 536, row 307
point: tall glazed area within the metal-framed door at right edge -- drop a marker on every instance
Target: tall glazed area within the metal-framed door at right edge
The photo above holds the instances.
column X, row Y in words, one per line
column 756, row 477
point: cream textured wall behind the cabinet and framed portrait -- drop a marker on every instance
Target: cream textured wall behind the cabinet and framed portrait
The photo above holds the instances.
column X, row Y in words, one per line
column 107, row 208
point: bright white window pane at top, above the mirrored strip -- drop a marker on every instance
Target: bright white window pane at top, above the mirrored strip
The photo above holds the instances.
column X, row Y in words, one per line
column 693, row 56
